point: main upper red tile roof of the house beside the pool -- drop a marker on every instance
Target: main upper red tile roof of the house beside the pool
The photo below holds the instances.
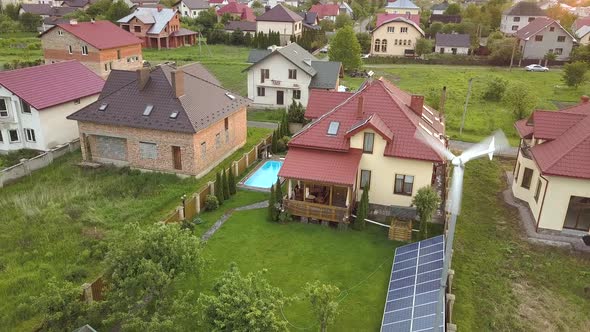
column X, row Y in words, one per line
column 391, row 105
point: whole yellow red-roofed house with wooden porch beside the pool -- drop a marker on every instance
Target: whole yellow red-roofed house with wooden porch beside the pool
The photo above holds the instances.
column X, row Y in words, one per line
column 361, row 139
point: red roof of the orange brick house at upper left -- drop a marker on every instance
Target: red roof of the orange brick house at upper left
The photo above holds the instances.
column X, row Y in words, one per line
column 100, row 34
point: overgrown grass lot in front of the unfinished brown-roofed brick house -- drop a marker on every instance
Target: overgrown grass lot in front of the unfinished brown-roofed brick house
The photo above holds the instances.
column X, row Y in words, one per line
column 58, row 223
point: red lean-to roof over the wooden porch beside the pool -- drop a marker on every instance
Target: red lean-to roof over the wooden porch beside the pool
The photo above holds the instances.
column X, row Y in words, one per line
column 338, row 168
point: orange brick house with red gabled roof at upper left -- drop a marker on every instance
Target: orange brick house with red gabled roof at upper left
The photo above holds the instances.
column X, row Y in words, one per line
column 101, row 46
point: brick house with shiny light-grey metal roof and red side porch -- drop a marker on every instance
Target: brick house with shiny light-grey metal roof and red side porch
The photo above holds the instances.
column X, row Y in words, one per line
column 158, row 27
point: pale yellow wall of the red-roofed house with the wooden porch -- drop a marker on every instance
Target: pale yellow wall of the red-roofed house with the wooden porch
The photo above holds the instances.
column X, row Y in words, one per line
column 383, row 170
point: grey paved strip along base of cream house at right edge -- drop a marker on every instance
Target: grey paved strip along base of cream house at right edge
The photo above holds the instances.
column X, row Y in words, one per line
column 527, row 222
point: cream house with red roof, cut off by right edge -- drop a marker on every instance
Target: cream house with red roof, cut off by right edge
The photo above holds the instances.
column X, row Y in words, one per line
column 553, row 173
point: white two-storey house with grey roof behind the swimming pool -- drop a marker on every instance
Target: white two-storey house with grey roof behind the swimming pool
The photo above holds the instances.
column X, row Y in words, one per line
column 279, row 76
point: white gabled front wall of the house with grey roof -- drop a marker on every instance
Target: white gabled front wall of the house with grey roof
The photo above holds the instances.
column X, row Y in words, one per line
column 279, row 71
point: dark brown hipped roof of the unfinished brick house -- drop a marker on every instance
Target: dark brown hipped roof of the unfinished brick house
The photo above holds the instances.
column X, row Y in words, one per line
column 202, row 104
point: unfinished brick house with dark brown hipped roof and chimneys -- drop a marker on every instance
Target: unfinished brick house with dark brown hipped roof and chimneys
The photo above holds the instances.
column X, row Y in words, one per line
column 164, row 119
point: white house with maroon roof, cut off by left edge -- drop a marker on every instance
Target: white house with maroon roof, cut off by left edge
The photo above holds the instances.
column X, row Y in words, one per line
column 35, row 101
